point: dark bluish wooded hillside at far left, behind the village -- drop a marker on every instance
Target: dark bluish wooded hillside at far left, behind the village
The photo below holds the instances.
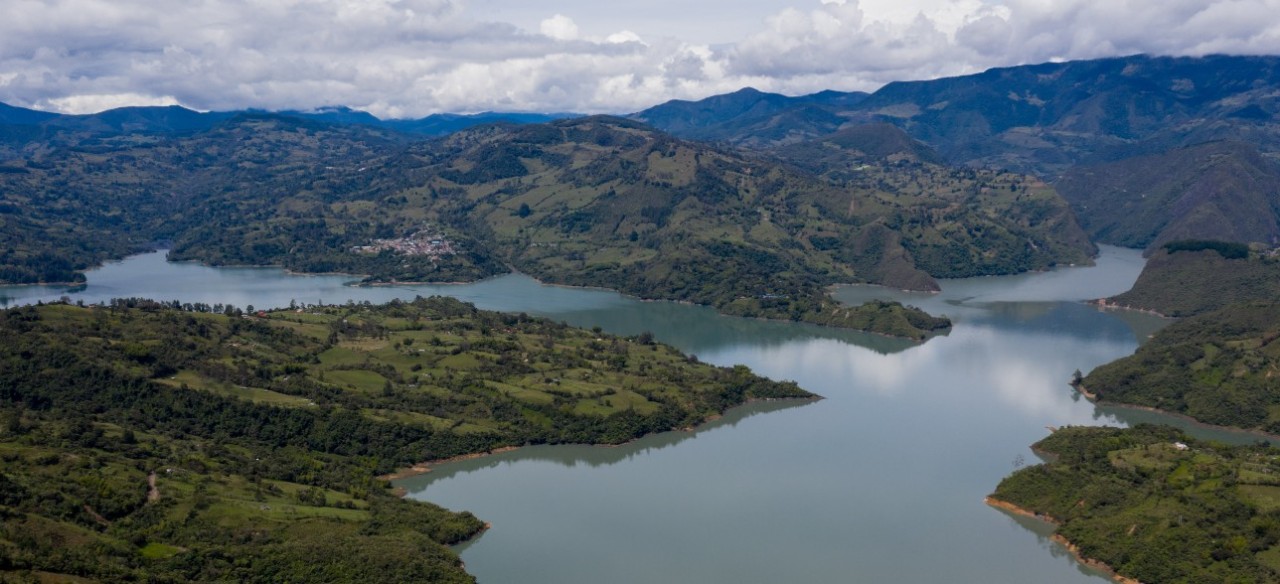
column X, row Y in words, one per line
column 74, row 207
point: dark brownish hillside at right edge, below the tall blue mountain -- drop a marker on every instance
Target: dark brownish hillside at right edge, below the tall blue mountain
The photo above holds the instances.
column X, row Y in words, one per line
column 1213, row 191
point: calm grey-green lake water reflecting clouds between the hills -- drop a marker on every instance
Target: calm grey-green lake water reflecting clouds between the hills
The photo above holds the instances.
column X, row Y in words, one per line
column 883, row 482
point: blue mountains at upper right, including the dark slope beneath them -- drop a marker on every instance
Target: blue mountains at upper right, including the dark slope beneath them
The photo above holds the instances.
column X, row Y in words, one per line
column 1148, row 149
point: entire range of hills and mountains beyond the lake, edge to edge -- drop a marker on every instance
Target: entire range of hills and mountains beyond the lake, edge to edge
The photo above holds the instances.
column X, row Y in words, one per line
column 789, row 194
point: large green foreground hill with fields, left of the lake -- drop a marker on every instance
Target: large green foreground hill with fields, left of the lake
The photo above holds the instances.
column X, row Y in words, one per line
column 144, row 441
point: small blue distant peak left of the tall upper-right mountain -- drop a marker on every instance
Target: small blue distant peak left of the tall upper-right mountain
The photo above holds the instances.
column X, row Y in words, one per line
column 752, row 118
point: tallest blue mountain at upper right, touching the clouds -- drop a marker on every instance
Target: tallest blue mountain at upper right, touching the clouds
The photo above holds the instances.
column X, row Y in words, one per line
column 1055, row 115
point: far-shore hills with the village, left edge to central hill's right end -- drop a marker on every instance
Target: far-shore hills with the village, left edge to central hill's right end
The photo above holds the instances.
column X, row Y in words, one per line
column 598, row 202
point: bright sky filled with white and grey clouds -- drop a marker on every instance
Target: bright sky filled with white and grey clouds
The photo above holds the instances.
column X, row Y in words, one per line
column 414, row 58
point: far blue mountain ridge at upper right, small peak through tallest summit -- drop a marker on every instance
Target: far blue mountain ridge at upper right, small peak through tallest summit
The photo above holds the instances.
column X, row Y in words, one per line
column 1031, row 118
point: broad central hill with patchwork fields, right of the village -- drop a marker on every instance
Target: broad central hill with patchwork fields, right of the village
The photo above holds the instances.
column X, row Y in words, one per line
column 604, row 202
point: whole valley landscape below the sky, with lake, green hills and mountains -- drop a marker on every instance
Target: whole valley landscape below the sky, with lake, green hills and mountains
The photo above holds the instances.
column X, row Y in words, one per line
column 935, row 258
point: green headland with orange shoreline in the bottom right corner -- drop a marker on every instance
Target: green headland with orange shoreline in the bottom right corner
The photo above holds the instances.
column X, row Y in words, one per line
column 1155, row 505
